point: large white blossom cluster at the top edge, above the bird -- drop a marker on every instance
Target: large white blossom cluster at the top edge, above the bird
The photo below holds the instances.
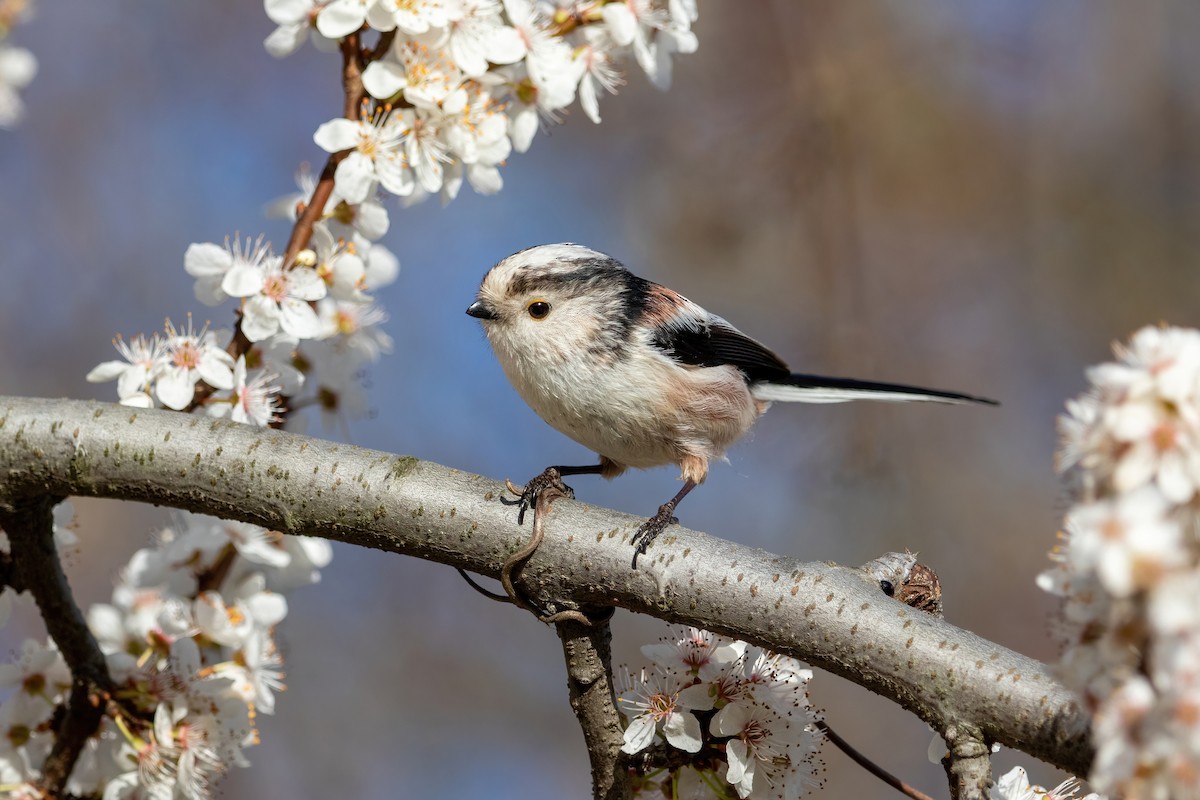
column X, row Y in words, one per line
column 464, row 83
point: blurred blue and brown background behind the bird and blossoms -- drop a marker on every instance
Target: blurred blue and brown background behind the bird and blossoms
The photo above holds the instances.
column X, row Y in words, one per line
column 974, row 196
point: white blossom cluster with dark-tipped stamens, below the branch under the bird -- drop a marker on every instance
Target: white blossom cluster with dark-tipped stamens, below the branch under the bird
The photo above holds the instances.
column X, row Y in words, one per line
column 742, row 713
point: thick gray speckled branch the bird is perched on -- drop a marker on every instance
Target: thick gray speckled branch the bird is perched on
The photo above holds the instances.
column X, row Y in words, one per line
column 832, row 617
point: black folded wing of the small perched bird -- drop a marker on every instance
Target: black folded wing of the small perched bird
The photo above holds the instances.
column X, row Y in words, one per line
column 713, row 344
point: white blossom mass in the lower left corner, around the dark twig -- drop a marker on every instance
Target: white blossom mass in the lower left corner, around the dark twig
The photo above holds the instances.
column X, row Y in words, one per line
column 190, row 643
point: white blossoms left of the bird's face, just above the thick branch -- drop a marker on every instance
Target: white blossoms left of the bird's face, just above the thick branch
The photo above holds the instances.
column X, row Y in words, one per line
column 313, row 326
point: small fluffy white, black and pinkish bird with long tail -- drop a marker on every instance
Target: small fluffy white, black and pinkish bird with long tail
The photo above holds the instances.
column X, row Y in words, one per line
column 638, row 372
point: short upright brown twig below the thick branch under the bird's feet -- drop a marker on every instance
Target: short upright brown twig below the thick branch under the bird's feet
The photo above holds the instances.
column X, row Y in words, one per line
column 587, row 649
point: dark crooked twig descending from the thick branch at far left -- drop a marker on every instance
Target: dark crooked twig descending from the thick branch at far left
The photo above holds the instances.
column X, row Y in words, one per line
column 35, row 560
